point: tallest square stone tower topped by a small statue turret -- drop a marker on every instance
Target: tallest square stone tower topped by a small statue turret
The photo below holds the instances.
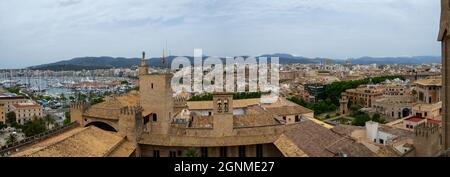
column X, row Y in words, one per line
column 156, row 98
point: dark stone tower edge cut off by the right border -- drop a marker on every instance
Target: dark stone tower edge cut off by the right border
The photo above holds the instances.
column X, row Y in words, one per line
column 444, row 37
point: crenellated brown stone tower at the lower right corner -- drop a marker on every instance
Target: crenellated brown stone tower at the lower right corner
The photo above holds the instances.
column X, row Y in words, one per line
column 427, row 140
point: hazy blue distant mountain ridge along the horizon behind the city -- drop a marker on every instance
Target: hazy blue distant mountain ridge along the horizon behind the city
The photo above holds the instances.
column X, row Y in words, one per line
column 106, row 62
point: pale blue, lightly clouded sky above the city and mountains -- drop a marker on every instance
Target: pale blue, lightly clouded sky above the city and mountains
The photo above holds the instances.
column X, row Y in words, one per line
column 38, row 32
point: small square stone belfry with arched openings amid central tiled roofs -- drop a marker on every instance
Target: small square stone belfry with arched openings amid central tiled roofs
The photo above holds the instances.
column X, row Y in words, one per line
column 223, row 114
